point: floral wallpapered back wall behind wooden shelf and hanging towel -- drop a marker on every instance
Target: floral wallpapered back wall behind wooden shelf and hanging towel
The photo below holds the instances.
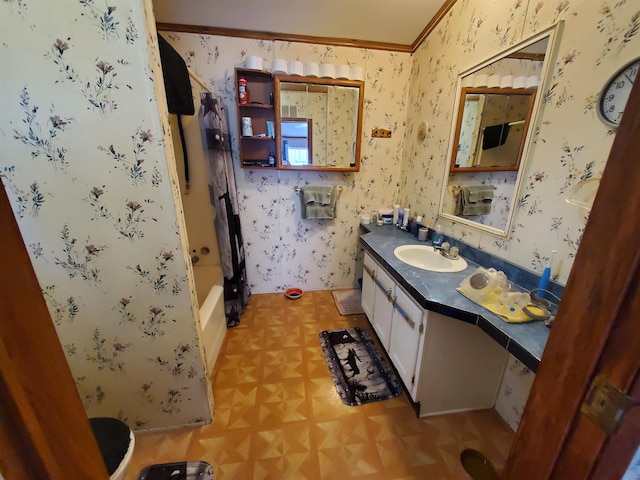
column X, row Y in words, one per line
column 282, row 249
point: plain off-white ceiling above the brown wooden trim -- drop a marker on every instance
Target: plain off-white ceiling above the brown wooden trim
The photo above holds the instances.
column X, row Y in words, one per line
column 387, row 21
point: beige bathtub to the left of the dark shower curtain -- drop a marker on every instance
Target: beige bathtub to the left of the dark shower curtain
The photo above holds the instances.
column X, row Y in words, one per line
column 209, row 281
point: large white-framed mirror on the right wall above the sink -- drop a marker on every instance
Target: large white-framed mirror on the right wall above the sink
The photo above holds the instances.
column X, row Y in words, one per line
column 497, row 103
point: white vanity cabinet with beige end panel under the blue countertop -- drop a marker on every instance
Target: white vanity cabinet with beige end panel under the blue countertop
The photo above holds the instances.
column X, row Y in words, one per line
column 446, row 365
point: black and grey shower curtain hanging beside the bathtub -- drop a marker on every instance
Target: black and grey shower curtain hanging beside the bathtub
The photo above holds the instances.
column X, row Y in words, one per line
column 222, row 191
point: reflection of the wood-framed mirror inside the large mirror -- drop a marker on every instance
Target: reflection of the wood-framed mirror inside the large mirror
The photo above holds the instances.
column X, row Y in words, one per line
column 491, row 128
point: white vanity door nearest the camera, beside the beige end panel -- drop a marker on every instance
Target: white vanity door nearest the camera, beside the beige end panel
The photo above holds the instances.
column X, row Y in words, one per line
column 406, row 336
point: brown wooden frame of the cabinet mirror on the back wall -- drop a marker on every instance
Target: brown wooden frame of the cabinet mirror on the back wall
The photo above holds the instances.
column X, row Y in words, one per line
column 280, row 78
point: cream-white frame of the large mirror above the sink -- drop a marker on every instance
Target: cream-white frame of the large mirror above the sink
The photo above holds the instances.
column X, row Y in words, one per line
column 552, row 33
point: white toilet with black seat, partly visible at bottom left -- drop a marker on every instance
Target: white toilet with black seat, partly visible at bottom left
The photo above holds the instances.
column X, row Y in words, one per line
column 116, row 442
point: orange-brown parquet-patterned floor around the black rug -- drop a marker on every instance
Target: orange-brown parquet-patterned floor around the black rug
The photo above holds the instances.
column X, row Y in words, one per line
column 277, row 414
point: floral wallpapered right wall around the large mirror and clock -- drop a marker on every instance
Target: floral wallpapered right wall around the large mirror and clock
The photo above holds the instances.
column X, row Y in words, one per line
column 570, row 144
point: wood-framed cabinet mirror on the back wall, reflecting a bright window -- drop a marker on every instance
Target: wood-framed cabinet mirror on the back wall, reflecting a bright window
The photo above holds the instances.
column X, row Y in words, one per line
column 319, row 123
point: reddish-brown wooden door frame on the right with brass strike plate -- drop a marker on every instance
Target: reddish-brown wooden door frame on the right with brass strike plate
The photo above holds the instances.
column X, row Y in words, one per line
column 593, row 331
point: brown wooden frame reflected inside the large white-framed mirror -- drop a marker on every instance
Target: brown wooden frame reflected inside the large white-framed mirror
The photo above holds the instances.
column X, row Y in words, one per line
column 491, row 91
